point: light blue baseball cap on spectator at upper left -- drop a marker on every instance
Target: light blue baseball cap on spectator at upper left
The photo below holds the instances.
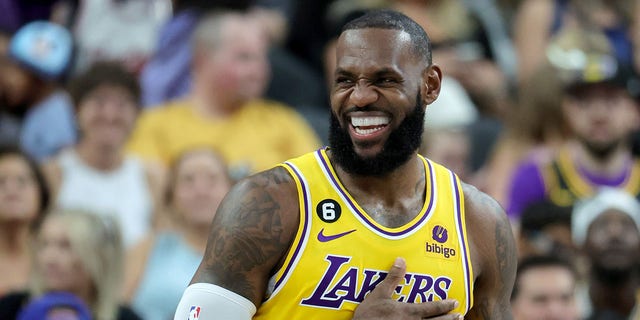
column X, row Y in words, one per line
column 44, row 48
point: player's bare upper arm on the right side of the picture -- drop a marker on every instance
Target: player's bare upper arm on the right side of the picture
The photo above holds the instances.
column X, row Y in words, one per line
column 493, row 253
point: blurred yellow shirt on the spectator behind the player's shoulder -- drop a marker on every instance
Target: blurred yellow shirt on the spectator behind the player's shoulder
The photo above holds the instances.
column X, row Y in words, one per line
column 258, row 136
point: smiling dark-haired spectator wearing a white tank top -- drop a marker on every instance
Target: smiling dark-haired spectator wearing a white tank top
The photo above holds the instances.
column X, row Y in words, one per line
column 96, row 174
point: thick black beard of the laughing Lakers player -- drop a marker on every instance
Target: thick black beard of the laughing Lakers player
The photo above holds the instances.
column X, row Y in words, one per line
column 397, row 150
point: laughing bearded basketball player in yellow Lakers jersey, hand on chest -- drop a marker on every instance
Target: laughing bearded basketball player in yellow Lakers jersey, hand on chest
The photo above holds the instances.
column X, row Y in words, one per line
column 313, row 237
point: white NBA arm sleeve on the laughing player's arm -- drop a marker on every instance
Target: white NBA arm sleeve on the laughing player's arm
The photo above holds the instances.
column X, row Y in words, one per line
column 205, row 301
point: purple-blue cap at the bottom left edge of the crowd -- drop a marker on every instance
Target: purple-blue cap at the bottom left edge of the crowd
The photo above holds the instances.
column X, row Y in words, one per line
column 41, row 307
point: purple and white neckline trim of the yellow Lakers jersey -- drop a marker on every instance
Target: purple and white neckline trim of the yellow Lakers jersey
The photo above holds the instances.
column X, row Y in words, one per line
column 363, row 215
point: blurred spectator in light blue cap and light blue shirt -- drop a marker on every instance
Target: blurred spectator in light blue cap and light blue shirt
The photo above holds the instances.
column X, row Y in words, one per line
column 39, row 56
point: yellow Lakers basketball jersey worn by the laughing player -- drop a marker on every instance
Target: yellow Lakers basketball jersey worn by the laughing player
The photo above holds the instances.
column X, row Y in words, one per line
column 340, row 253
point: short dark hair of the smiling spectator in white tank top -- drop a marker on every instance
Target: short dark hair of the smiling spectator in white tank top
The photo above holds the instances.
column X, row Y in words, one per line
column 104, row 73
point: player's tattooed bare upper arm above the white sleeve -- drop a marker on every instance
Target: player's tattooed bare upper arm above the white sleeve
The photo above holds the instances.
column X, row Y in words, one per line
column 251, row 233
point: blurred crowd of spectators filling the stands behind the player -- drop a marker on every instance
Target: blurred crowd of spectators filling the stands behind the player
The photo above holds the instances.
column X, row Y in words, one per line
column 123, row 123
